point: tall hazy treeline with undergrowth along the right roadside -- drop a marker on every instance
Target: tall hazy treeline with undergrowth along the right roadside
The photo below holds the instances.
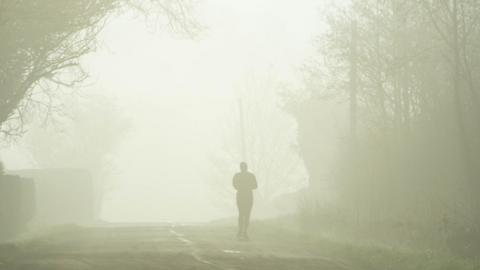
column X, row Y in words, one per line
column 408, row 71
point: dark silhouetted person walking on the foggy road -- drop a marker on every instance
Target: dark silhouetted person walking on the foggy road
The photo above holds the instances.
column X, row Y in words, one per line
column 244, row 182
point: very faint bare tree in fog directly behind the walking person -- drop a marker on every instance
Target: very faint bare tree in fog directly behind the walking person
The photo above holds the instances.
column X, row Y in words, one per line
column 268, row 143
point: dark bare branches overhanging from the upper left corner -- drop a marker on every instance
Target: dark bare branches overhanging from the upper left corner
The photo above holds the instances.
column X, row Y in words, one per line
column 43, row 41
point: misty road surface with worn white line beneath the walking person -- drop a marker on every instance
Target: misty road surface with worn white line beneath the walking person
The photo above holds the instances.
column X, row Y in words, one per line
column 169, row 246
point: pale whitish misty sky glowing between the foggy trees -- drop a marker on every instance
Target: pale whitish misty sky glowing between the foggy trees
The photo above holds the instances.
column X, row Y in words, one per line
column 177, row 93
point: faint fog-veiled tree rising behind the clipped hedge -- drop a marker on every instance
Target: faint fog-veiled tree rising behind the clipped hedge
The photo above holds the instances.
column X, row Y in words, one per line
column 85, row 138
